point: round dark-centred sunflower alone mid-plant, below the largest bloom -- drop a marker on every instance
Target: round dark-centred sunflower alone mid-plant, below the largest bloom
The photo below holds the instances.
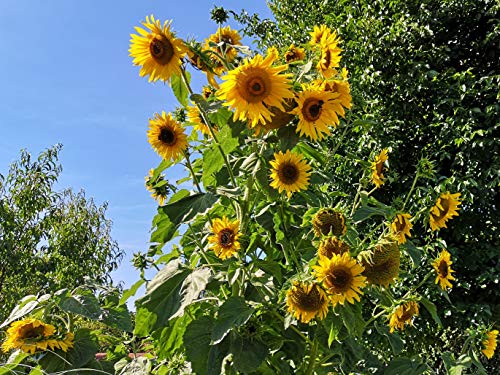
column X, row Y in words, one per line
column 289, row 172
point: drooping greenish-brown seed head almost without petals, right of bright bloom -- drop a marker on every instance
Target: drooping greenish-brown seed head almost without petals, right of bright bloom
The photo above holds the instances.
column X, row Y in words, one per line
column 383, row 267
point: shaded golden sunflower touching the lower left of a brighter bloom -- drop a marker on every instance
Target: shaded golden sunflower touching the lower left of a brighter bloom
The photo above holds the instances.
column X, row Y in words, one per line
column 306, row 301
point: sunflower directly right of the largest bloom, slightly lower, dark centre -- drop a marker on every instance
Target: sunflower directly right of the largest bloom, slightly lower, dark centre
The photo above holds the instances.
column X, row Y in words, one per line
column 317, row 110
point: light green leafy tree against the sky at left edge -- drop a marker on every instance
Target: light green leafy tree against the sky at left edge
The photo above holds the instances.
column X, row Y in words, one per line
column 49, row 240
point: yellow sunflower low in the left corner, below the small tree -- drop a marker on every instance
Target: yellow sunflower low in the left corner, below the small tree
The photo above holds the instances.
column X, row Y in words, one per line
column 30, row 335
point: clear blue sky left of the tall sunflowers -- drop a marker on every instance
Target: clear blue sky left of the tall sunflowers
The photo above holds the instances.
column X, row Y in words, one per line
column 66, row 77
